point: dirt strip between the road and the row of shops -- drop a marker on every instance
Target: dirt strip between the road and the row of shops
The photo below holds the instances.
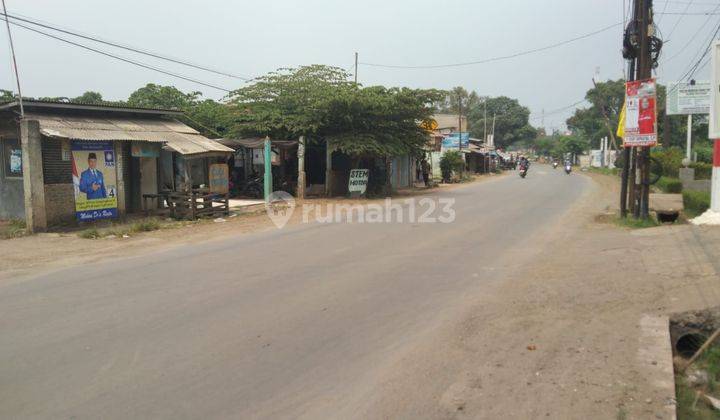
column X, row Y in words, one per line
column 32, row 255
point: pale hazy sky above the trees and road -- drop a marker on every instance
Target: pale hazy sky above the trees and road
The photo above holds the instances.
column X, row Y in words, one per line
column 249, row 38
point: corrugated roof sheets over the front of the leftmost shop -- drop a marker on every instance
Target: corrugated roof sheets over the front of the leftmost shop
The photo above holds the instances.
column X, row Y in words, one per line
column 177, row 136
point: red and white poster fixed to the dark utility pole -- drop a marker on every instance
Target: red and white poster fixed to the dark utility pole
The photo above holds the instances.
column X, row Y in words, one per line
column 640, row 113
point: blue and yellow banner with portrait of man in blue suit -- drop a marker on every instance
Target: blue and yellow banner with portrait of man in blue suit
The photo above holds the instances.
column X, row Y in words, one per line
column 95, row 180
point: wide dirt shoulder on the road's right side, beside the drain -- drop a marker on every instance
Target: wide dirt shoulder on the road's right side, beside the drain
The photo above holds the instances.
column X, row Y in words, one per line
column 565, row 336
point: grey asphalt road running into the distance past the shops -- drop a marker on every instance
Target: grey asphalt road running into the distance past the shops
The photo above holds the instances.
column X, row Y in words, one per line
column 304, row 321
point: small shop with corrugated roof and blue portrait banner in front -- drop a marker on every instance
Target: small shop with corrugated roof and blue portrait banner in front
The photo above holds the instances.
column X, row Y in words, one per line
column 66, row 163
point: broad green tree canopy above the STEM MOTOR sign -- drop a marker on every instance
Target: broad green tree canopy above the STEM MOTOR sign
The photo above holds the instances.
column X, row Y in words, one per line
column 320, row 103
